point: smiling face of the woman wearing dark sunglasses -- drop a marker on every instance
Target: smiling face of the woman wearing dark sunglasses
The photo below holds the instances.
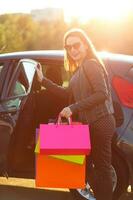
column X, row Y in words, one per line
column 76, row 49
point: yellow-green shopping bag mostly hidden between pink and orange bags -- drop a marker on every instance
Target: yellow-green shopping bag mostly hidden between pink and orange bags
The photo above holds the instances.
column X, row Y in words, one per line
column 79, row 159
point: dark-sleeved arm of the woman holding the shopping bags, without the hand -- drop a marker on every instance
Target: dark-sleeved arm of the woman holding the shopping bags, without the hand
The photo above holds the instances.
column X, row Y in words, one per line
column 95, row 74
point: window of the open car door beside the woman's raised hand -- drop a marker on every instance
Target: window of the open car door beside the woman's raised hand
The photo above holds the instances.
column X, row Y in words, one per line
column 20, row 85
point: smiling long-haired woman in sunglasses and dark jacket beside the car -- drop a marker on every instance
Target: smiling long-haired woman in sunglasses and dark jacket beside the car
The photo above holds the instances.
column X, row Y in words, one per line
column 89, row 98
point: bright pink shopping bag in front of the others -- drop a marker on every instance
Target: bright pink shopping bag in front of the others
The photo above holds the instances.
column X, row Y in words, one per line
column 63, row 139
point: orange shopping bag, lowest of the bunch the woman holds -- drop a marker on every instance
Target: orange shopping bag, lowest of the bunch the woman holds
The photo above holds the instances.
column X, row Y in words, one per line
column 57, row 173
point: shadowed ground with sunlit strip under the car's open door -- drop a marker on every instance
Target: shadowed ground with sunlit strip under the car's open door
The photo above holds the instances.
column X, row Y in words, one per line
column 24, row 189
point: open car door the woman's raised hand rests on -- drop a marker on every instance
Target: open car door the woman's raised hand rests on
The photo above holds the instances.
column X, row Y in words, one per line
column 13, row 96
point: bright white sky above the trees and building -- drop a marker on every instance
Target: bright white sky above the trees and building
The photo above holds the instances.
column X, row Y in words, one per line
column 84, row 9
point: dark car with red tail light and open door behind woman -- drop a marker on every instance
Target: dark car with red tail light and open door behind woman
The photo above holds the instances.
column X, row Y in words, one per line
column 24, row 104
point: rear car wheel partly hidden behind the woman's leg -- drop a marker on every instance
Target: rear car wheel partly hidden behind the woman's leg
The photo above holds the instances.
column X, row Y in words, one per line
column 120, row 182
